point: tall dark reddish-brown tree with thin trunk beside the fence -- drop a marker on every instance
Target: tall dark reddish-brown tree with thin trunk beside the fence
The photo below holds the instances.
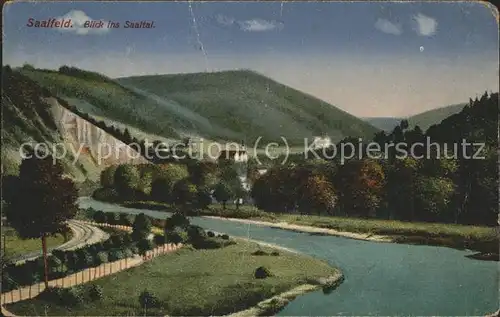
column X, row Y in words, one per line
column 45, row 200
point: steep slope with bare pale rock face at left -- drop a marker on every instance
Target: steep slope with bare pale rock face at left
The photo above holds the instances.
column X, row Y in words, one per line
column 32, row 115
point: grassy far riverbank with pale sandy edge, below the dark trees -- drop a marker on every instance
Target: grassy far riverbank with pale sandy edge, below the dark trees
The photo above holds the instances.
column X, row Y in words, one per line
column 484, row 240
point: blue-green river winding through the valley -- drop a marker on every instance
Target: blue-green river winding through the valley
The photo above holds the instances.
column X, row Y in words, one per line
column 380, row 278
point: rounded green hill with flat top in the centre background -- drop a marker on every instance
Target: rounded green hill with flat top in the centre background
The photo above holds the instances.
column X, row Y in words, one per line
column 244, row 105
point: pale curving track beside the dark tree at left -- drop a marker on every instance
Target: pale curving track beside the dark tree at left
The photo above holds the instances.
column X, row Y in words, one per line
column 83, row 234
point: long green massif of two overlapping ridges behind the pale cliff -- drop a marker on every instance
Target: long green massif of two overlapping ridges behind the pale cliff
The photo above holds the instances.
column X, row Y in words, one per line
column 223, row 106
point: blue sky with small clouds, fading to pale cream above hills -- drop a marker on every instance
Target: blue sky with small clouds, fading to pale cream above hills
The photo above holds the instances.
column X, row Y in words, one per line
column 371, row 59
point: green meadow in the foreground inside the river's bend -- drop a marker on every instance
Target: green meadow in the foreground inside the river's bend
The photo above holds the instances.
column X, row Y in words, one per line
column 193, row 283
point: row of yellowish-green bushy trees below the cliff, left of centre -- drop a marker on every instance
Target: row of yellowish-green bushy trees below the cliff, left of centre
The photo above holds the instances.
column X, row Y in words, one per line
column 191, row 184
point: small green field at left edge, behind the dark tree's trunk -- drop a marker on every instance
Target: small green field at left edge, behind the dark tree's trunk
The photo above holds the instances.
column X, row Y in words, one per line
column 15, row 246
